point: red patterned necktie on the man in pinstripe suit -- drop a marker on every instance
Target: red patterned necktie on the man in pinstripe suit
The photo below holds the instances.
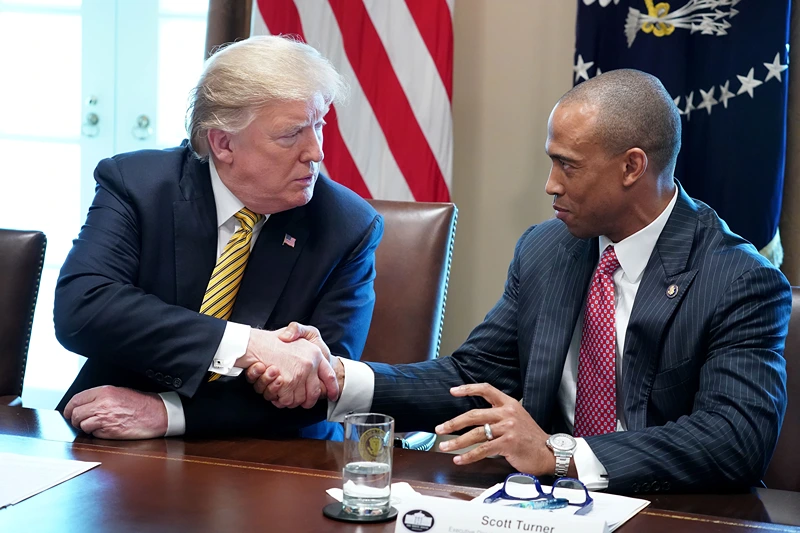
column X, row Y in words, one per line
column 596, row 399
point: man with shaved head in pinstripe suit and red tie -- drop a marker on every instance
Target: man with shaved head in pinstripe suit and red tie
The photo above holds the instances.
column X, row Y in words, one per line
column 638, row 344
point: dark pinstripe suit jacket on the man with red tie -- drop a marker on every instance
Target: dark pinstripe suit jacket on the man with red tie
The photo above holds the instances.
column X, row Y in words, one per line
column 703, row 385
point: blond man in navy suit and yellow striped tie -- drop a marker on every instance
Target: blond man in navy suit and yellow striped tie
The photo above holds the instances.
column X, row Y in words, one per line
column 193, row 259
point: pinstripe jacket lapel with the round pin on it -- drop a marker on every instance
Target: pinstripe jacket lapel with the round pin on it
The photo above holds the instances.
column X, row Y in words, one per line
column 655, row 305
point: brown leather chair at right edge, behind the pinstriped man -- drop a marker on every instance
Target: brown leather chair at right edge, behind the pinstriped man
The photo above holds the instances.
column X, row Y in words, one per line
column 784, row 469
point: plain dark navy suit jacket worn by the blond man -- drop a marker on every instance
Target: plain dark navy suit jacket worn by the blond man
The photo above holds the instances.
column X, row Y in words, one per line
column 129, row 292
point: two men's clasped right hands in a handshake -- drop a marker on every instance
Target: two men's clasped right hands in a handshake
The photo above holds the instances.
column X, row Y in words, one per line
column 292, row 366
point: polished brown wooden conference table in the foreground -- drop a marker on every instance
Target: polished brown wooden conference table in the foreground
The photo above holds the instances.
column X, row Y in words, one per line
column 255, row 485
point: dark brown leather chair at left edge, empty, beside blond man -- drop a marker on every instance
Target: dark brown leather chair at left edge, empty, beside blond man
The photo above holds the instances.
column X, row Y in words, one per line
column 21, row 261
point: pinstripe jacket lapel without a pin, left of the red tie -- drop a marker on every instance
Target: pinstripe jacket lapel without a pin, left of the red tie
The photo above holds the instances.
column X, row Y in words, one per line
column 562, row 300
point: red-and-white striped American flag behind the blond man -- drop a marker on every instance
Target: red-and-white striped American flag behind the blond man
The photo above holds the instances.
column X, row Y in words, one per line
column 394, row 138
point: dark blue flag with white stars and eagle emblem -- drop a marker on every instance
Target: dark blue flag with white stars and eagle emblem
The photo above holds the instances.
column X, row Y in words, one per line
column 724, row 62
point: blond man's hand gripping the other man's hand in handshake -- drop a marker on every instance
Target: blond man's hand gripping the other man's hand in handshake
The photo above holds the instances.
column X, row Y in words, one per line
column 299, row 370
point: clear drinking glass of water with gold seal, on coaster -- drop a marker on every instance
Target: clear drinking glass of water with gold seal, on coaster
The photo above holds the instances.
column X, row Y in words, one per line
column 367, row 474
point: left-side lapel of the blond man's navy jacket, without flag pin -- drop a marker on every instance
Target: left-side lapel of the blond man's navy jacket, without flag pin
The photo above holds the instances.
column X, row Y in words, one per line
column 195, row 222
